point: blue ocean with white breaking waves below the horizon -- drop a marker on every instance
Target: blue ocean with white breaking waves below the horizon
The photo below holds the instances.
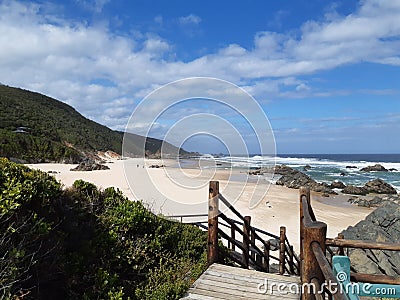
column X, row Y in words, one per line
column 324, row 167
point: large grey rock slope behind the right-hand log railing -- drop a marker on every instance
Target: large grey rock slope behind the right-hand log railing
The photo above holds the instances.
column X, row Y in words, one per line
column 382, row 225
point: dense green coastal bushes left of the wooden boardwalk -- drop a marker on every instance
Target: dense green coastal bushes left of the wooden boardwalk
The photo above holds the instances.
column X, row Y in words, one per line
column 85, row 243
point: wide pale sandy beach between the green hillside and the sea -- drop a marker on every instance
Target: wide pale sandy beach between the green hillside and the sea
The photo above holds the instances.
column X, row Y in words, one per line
column 173, row 191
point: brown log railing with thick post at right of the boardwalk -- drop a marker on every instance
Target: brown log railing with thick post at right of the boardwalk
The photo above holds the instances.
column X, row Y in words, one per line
column 316, row 268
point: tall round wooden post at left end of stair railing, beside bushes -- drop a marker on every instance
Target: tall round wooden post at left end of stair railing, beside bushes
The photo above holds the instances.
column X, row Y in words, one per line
column 212, row 241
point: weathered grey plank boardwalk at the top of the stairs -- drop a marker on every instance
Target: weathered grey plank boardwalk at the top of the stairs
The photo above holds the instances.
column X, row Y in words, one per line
column 222, row 282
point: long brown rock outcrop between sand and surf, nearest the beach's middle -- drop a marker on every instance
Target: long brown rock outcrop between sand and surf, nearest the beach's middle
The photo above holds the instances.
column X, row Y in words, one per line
column 295, row 179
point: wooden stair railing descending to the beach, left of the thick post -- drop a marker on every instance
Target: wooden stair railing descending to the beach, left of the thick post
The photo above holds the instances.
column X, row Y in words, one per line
column 248, row 246
